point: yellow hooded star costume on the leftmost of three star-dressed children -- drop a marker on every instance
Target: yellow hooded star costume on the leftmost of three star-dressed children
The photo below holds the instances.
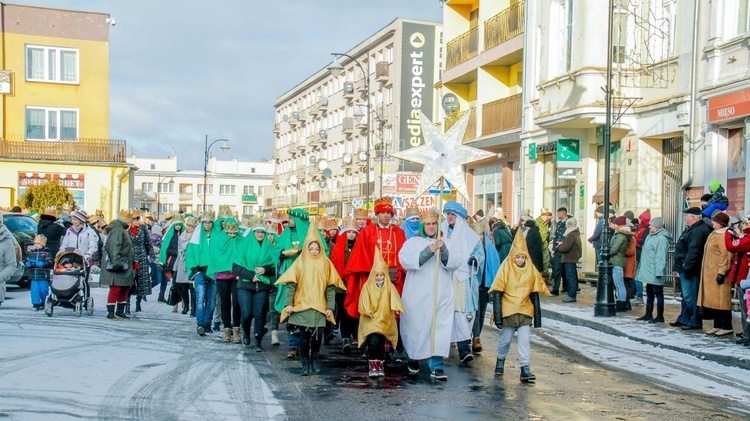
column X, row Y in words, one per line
column 311, row 277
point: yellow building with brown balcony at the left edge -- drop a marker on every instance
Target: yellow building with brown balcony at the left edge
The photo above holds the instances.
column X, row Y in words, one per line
column 54, row 114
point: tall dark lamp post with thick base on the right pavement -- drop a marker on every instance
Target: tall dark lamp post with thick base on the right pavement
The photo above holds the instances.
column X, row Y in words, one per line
column 605, row 298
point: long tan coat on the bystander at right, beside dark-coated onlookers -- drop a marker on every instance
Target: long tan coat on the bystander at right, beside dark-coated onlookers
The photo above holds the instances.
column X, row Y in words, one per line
column 717, row 261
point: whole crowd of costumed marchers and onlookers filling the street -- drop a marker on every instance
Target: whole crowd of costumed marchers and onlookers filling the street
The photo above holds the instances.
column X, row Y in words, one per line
column 397, row 289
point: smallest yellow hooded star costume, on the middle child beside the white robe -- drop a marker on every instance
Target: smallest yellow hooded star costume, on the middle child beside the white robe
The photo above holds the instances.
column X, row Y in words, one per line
column 377, row 304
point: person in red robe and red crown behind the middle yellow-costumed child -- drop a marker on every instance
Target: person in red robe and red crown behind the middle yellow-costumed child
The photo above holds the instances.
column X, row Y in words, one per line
column 390, row 238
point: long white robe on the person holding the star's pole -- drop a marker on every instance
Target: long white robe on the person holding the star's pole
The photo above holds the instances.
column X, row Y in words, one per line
column 418, row 298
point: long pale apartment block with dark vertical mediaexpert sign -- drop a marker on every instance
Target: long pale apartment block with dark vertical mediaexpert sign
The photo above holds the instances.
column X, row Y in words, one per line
column 335, row 130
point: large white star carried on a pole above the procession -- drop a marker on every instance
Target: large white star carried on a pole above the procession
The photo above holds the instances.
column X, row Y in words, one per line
column 443, row 155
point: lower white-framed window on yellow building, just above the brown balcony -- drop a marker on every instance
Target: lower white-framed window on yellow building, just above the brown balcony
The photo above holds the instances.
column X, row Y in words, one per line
column 51, row 123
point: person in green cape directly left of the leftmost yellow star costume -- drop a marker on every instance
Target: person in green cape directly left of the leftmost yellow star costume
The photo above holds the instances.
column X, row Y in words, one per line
column 255, row 267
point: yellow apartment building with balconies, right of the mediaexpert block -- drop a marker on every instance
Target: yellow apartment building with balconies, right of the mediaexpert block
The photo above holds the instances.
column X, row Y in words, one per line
column 483, row 76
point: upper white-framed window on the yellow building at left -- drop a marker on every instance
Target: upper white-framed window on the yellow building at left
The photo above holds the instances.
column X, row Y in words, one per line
column 51, row 64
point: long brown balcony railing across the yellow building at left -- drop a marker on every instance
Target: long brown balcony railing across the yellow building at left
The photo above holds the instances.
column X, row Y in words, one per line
column 85, row 150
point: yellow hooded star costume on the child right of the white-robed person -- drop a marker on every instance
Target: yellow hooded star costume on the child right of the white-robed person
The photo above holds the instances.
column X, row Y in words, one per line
column 518, row 283
